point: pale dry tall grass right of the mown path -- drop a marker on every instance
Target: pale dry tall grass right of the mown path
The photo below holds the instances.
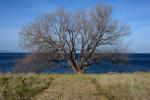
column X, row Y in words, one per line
column 123, row 86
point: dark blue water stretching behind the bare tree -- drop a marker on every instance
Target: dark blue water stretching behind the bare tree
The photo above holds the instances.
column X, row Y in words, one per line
column 137, row 62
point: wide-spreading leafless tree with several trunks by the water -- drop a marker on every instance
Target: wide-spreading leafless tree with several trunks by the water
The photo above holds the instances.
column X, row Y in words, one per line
column 78, row 37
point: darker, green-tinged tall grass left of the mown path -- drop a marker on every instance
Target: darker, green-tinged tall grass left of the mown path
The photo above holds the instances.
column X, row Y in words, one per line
column 22, row 86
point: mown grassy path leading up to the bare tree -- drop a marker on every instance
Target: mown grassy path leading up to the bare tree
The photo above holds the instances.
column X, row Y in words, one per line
column 70, row 88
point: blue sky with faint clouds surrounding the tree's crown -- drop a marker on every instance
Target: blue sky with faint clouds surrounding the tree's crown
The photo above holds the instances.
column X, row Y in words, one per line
column 14, row 14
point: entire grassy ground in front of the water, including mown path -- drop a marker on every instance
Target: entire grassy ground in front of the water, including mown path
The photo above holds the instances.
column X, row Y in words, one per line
column 135, row 86
